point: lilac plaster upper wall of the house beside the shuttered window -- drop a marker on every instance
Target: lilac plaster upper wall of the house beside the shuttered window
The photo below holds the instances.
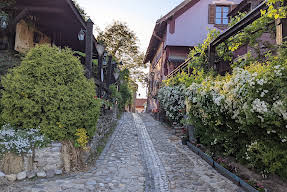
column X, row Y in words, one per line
column 191, row 27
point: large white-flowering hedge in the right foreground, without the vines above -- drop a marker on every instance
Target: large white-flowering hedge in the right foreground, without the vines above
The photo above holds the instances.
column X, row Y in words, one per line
column 249, row 107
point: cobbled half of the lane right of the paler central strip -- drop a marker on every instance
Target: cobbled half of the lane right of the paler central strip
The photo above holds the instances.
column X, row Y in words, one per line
column 185, row 170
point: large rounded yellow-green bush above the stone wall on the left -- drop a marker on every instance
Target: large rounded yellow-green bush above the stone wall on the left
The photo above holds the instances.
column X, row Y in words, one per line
column 49, row 90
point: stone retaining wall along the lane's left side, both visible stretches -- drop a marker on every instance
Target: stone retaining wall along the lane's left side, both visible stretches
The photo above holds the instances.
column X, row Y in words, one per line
column 48, row 162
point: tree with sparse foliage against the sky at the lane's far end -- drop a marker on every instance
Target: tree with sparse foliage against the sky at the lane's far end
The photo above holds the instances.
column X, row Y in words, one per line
column 122, row 43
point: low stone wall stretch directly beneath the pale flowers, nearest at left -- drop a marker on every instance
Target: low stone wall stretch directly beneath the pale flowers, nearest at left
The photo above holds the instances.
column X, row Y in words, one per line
column 45, row 162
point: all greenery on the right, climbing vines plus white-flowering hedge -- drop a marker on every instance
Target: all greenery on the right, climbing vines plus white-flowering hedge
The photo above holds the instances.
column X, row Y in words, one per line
column 243, row 114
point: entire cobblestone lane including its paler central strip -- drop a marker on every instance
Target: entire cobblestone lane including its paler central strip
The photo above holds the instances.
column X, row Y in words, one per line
column 142, row 155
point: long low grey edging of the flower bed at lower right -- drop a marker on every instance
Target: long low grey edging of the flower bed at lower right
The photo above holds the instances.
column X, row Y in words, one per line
column 221, row 169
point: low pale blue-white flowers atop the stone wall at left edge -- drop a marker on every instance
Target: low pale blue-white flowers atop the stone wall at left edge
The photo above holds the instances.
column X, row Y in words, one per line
column 20, row 141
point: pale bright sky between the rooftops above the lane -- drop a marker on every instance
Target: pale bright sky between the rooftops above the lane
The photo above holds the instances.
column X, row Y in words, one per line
column 140, row 16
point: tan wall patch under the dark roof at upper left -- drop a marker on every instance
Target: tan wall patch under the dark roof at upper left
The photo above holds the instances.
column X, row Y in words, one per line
column 25, row 36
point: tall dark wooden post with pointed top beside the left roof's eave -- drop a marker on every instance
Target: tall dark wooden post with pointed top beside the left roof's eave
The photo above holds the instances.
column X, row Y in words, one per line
column 89, row 48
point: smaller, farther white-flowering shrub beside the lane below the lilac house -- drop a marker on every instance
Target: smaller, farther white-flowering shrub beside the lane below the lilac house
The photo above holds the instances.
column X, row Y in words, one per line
column 172, row 101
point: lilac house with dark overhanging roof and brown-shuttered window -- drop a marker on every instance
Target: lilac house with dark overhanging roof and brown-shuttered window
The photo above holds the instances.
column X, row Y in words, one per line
column 179, row 31
